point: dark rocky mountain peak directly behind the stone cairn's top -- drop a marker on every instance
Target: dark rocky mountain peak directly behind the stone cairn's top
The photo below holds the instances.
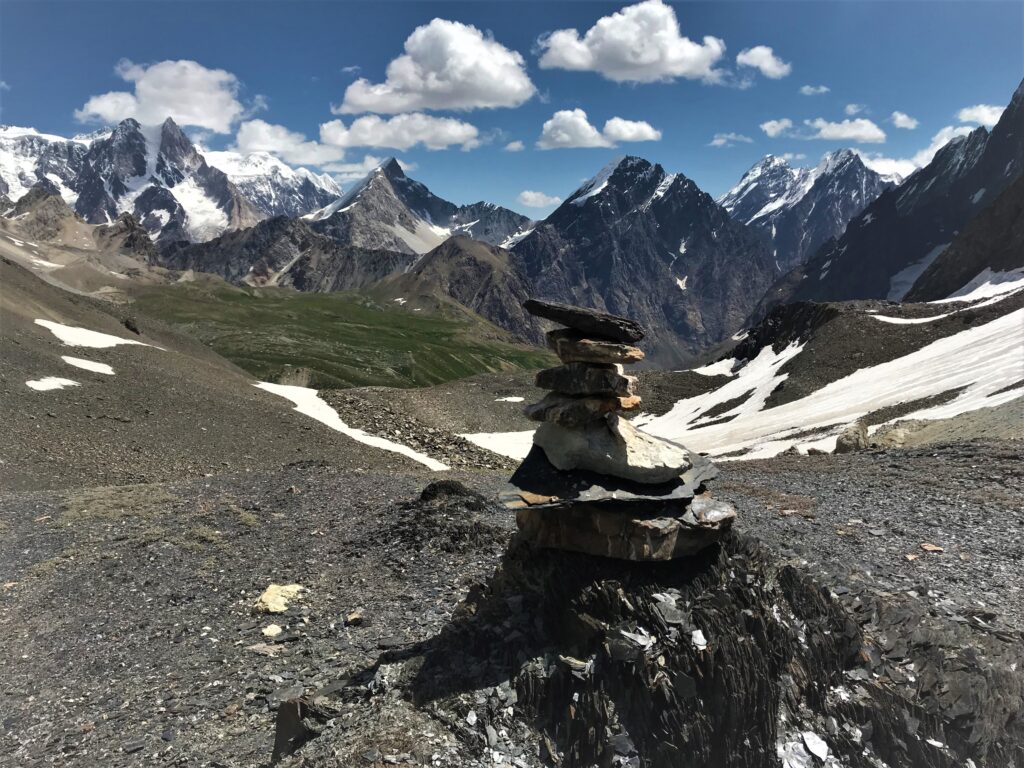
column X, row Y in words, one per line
column 653, row 246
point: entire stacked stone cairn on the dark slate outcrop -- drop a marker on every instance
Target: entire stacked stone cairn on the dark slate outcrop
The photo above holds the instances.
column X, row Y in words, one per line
column 592, row 482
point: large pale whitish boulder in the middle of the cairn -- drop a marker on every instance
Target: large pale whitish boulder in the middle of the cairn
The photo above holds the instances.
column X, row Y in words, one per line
column 614, row 447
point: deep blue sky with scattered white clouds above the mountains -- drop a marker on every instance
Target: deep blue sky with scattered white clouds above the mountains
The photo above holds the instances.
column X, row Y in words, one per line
column 270, row 73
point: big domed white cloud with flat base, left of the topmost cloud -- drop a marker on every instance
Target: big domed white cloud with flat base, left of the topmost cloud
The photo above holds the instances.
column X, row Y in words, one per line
column 447, row 66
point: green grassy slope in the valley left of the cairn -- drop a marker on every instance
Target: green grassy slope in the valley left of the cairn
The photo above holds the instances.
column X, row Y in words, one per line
column 343, row 339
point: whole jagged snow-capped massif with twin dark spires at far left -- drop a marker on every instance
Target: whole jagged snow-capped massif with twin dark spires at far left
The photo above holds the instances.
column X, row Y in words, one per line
column 178, row 191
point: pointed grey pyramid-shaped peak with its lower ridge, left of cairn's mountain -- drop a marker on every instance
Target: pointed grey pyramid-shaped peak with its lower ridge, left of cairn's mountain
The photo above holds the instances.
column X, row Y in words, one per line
column 390, row 211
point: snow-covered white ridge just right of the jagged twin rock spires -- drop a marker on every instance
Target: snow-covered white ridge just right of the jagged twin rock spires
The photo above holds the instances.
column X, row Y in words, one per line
column 273, row 186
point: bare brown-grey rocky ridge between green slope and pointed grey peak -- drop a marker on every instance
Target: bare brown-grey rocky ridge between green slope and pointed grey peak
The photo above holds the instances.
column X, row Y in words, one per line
column 286, row 252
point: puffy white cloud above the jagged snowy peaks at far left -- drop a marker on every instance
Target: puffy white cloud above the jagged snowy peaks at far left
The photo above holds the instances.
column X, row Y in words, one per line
column 185, row 91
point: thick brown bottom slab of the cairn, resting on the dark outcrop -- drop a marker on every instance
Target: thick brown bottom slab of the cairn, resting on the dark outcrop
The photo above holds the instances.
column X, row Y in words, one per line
column 595, row 531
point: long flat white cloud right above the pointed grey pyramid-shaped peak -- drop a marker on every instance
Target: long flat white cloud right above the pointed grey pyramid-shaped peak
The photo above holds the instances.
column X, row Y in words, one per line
column 402, row 133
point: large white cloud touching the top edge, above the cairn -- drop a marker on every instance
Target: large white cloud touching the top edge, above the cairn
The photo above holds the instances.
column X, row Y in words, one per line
column 642, row 44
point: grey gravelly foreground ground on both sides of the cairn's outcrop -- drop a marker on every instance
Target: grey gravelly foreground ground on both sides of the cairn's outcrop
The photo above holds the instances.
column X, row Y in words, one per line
column 131, row 635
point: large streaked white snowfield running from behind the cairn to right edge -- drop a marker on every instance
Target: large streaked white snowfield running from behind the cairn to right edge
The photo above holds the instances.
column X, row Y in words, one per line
column 986, row 362
